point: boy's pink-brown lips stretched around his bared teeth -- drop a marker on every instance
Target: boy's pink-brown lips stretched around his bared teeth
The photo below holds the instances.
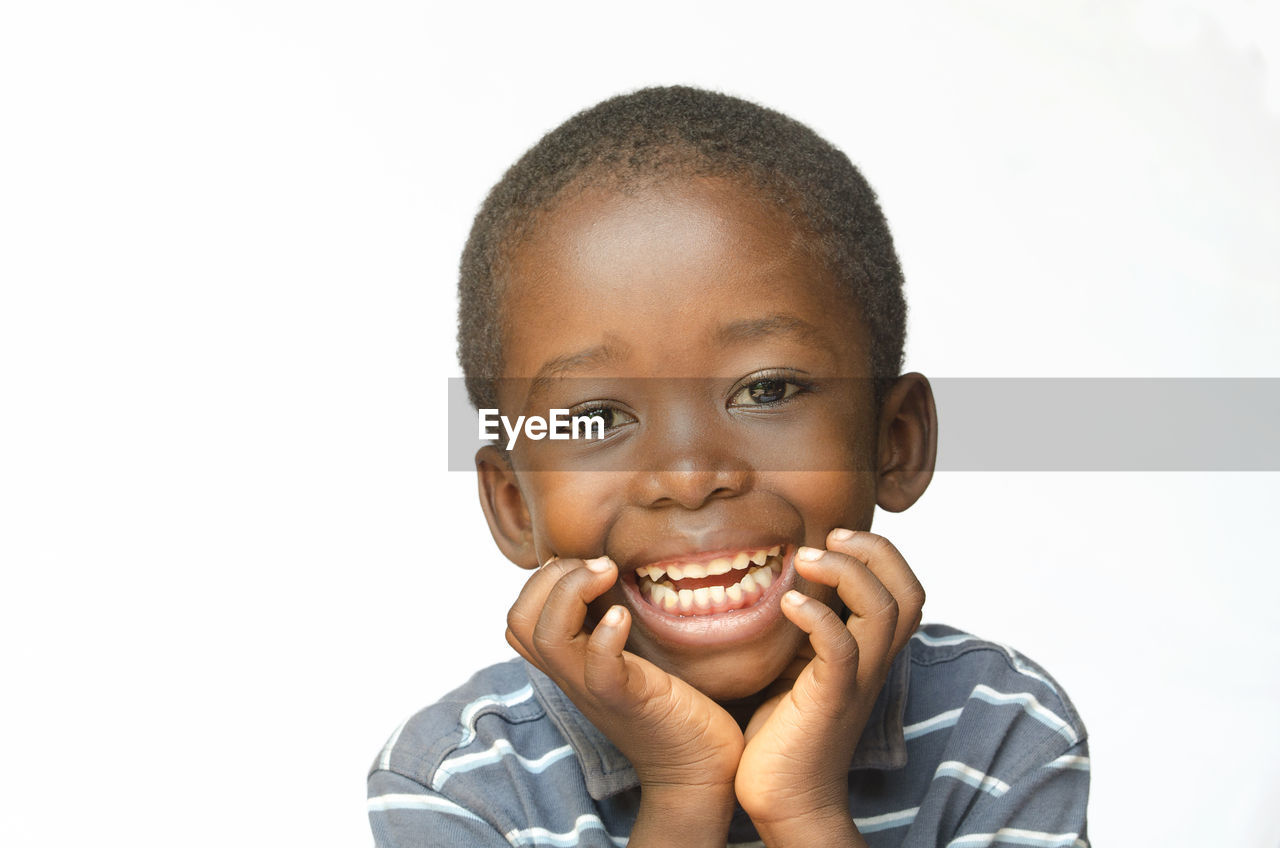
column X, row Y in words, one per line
column 720, row 628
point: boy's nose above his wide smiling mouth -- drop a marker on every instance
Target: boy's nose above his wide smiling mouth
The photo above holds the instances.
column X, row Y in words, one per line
column 692, row 463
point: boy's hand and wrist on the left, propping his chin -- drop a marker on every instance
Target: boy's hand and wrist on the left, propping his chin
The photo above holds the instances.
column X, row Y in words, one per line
column 684, row 747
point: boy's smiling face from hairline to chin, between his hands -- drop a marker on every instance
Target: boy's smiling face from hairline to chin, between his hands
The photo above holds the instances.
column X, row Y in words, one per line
column 740, row 413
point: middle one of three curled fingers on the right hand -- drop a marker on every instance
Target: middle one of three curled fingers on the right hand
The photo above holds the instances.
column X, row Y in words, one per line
column 874, row 612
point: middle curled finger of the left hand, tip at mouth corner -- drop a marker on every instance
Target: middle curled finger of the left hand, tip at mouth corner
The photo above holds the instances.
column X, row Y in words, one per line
column 559, row 639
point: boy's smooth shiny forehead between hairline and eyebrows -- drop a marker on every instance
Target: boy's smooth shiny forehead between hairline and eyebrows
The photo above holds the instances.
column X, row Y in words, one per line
column 661, row 271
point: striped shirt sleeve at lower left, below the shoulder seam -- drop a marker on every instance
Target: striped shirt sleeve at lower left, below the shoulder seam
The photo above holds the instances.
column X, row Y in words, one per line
column 405, row 814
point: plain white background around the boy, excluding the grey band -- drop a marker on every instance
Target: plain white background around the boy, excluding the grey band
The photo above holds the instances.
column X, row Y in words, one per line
column 232, row 558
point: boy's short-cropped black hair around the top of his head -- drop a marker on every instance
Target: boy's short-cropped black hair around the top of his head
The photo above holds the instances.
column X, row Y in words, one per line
column 683, row 131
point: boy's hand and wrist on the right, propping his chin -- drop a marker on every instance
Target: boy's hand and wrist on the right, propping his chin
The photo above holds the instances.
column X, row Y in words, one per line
column 794, row 773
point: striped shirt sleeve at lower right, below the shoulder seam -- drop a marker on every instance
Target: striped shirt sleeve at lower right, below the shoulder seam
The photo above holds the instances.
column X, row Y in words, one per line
column 1044, row 808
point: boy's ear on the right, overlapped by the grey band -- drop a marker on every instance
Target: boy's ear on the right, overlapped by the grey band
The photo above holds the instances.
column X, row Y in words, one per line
column 908, row 443
